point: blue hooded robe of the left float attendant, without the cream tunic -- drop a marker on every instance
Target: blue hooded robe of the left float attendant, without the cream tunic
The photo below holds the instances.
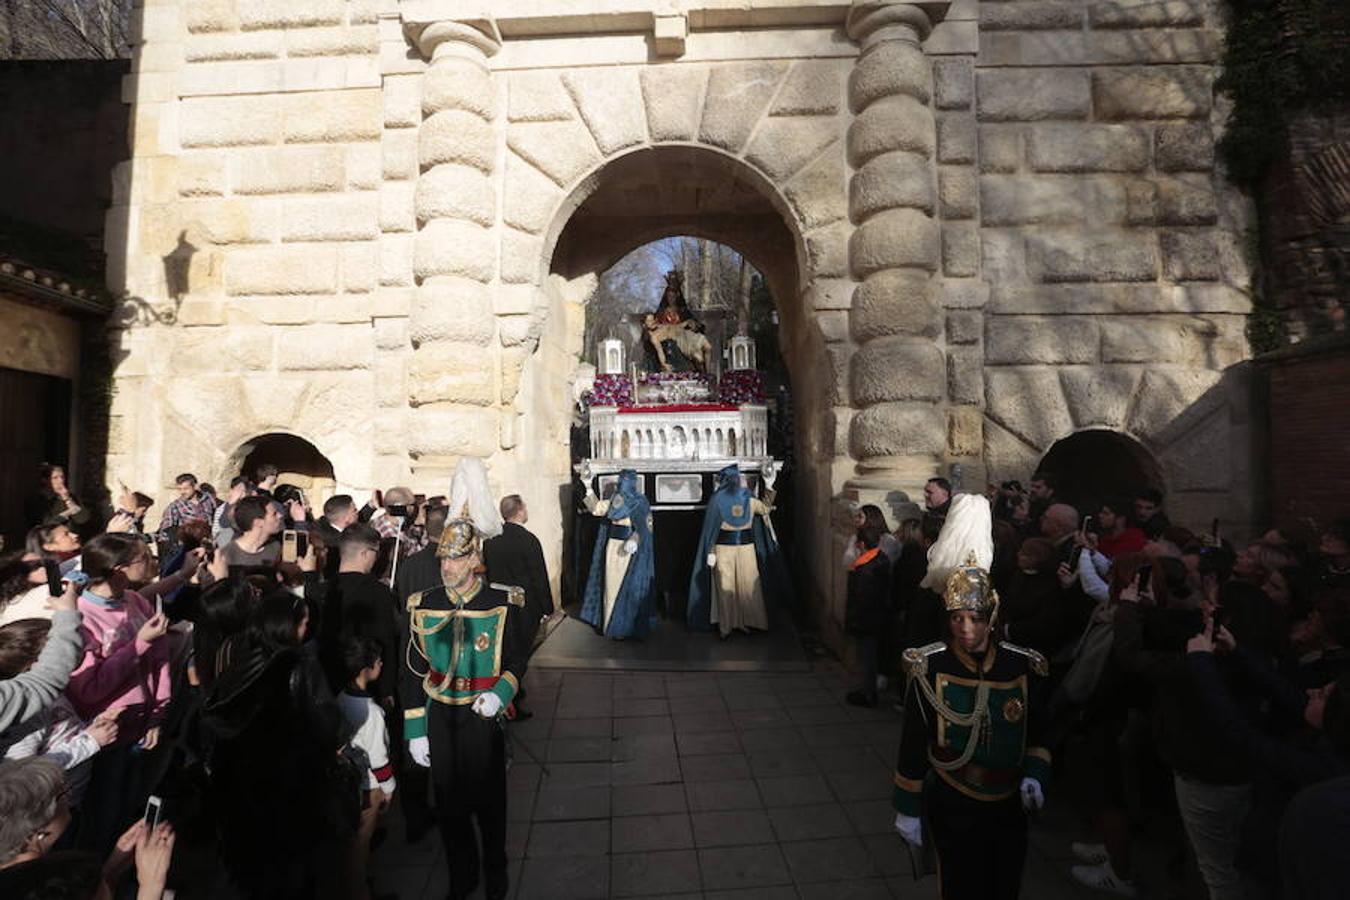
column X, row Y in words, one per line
column 635, row 605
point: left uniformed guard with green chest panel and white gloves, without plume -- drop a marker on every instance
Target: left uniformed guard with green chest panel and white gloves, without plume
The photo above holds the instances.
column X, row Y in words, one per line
column 462, row 667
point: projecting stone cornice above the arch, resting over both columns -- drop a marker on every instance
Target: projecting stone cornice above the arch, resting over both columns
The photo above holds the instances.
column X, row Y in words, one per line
column 549, row 18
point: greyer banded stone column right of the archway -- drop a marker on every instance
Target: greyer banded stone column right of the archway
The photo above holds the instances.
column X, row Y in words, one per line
column 898, row 378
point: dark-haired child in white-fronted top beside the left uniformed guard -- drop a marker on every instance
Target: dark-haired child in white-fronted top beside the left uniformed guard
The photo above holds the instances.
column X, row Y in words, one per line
column 371, row 746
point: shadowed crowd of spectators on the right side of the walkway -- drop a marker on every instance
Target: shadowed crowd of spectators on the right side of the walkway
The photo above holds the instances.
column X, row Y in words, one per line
column 1212, row 678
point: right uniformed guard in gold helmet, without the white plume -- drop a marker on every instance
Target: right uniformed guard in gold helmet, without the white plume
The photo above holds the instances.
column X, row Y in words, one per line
column 971, row 760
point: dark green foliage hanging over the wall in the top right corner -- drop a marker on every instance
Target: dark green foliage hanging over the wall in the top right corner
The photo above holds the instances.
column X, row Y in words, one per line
column 1282, row 56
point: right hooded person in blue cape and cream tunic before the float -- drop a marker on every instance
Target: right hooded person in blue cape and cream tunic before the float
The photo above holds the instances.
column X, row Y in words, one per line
column 738, row 562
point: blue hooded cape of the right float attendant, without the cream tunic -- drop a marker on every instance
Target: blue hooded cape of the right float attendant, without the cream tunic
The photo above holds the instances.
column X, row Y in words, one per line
column 728, row 500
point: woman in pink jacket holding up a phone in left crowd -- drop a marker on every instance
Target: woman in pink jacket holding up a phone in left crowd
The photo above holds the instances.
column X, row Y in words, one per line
column 125, row 669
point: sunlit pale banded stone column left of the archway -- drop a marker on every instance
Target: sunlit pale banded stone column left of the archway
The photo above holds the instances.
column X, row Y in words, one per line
column 453, row 374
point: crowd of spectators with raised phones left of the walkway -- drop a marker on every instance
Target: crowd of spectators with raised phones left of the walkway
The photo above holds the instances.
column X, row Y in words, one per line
column 210, row 702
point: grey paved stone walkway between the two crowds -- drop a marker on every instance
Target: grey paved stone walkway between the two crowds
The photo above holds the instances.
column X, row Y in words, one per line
column 703, row 785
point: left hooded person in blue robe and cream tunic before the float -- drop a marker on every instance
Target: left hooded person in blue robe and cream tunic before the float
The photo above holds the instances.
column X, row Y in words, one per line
column 620, row 598
